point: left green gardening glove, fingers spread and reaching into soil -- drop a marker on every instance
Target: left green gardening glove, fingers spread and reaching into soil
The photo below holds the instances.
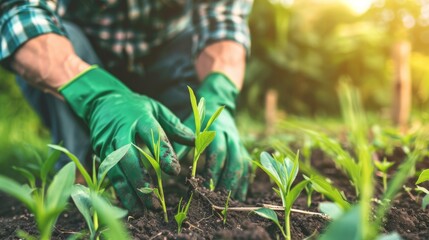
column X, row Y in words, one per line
column 116, row 116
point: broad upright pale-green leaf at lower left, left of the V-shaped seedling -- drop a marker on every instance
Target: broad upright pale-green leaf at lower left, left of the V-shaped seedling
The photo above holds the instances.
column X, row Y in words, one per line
column 60, row 188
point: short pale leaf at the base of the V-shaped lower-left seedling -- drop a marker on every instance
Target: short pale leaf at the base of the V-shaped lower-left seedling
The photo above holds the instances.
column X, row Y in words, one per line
column 82, row 200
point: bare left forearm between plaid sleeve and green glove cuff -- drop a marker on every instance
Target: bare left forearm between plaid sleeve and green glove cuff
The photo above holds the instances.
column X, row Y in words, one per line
column 47, row 61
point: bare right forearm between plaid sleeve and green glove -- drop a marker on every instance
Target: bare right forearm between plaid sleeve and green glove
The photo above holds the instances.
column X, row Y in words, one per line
column 227, row 57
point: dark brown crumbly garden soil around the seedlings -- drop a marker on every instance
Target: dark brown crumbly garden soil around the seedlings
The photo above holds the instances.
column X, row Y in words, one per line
column 405, row 217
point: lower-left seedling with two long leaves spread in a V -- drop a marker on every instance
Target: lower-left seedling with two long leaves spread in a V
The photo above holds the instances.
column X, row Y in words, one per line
column 81, row 194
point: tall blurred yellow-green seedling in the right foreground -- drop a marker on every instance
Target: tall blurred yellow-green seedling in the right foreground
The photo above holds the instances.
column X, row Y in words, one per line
column 356, row 222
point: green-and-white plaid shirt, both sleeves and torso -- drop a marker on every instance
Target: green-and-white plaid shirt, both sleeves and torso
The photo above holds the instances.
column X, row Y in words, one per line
column 127, row 29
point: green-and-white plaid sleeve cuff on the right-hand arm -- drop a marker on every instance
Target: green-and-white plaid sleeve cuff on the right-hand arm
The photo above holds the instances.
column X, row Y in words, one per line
column 221, row 20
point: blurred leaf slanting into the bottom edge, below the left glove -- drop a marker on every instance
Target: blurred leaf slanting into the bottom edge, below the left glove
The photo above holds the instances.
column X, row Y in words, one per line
column 116, row 229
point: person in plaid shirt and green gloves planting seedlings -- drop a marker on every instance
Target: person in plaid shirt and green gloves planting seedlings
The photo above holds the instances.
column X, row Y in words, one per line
column 104, row 73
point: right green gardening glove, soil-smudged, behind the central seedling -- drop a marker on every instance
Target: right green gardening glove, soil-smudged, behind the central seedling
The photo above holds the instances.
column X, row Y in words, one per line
column 227, row 162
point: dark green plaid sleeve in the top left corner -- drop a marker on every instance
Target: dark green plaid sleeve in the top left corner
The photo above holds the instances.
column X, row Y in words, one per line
column 21, row 20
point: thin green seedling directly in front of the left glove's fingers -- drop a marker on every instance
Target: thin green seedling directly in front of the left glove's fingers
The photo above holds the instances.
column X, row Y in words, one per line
column 155, row 163
